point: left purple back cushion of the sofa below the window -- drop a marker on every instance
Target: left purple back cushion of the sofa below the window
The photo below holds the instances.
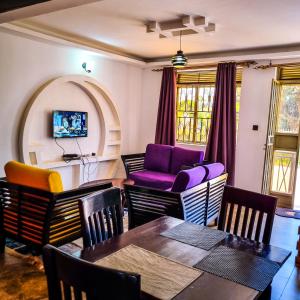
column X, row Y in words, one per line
column 158, row 158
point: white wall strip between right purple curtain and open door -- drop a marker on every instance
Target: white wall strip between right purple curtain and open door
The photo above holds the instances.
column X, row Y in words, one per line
column 254, row 110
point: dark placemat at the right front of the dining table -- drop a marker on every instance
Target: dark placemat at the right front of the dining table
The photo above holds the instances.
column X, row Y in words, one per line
column 244, row 268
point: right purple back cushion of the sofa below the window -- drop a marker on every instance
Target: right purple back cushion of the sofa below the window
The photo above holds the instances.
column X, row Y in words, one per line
column 181, row 156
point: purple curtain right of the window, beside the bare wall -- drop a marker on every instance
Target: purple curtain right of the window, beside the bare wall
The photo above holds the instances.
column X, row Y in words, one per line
column 222, row 135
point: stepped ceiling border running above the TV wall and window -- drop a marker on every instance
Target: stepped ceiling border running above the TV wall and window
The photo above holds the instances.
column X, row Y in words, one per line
column 36, row 31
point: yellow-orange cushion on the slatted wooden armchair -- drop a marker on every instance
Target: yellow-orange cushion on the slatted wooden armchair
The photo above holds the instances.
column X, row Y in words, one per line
column 22, row 174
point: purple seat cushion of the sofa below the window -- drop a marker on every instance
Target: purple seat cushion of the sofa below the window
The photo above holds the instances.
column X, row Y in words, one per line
column 153, row 179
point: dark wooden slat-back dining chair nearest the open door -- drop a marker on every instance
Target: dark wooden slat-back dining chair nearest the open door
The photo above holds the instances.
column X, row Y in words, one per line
column 247, row 214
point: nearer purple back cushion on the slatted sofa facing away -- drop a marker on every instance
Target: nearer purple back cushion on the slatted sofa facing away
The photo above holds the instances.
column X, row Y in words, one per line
column 188, row 178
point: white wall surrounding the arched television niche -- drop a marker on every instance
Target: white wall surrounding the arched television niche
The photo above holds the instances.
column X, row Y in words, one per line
column 27, row 64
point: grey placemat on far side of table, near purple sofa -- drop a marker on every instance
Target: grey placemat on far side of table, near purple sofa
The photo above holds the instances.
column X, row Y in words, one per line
column 195, row 235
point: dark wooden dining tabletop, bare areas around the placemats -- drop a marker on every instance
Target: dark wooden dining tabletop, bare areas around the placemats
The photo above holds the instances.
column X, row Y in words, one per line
column 207, row 286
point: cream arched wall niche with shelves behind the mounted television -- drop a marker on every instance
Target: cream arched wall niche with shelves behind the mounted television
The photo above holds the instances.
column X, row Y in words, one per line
column 73, row 93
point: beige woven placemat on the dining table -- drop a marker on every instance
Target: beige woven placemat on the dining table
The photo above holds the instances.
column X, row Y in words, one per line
column 160, row 277
